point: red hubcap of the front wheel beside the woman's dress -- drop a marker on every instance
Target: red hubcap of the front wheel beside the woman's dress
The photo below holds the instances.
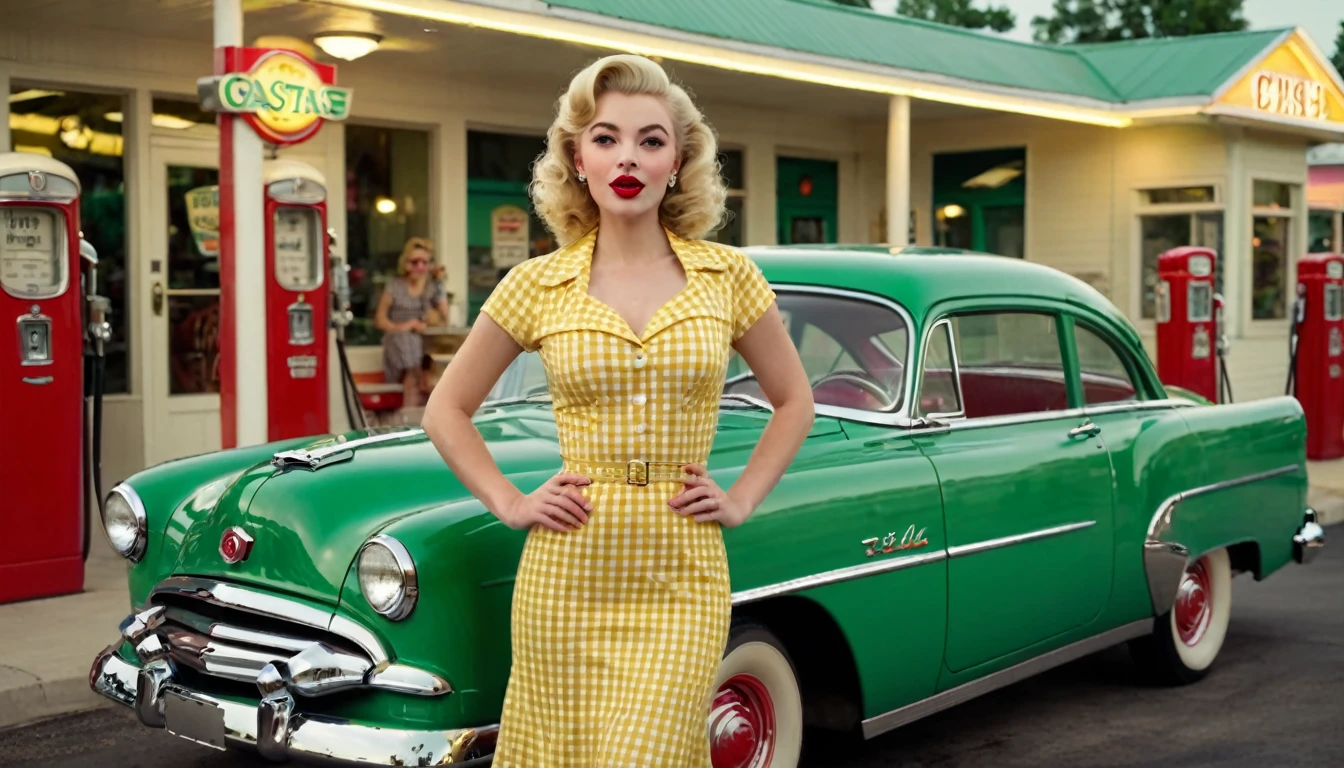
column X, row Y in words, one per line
column 743, row 724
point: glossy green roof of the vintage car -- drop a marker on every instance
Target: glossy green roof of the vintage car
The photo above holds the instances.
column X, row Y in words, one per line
column 920, row 278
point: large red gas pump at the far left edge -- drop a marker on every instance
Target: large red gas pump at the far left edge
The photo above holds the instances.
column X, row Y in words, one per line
column 50, row 375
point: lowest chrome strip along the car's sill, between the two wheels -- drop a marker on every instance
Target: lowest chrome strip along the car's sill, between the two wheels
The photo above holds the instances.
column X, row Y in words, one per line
column 896, row 719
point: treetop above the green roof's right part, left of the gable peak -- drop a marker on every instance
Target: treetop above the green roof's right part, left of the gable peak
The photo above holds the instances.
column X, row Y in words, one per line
column 1105, row 21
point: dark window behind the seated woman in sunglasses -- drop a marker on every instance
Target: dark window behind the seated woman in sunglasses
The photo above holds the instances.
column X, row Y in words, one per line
column 388, row 176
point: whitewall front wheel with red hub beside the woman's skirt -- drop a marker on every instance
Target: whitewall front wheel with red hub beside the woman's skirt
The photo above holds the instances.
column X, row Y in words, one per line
column 756, row 719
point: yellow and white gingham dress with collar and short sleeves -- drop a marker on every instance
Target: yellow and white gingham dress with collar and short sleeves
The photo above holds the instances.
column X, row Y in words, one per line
column 619, row 629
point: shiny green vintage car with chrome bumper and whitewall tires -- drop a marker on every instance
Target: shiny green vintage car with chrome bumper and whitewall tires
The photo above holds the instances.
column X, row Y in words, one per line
column 997, row 484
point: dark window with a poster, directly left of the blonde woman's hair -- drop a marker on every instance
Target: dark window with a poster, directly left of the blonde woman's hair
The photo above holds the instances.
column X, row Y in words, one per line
column 502, row 227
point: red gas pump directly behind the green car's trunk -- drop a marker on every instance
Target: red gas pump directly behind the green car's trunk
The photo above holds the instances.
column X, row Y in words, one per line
column 1191, row 338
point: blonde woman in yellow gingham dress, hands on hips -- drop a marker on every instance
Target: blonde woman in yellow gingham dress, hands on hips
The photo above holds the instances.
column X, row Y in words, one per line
column 622, row 605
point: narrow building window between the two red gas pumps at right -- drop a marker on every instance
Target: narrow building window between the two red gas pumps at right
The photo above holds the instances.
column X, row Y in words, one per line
column 1272, row 228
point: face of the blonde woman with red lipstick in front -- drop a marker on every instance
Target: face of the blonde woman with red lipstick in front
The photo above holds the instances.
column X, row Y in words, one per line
column 628, row 154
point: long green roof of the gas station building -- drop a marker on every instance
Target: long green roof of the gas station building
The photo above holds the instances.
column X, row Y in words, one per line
column 1112, row 73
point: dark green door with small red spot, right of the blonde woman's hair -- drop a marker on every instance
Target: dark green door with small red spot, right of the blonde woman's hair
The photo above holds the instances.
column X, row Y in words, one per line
column 807, row 200
